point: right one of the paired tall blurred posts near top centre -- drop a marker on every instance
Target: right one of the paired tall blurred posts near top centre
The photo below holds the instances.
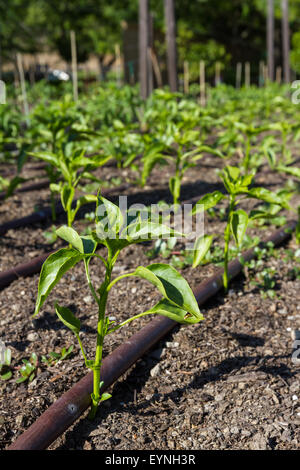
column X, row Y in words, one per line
column 171, row 44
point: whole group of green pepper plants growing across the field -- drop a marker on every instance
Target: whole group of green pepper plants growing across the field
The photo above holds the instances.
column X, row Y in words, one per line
column 244, row 129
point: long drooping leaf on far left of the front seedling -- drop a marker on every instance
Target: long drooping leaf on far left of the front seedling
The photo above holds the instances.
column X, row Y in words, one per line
column 55, row 266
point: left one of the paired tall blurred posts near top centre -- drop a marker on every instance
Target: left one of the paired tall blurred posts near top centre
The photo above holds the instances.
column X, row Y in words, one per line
column 143, row 47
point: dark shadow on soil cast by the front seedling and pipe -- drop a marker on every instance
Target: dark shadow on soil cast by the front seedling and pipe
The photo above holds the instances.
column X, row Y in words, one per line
column 124, row 391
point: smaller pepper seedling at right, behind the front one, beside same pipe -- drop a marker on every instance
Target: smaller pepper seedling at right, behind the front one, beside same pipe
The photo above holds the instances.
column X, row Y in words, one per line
column 237, row 187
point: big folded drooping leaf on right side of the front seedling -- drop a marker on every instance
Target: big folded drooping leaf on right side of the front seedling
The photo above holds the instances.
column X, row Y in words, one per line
column 171, row 285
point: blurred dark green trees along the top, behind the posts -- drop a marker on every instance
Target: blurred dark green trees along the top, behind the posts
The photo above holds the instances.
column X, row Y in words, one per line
column 225, row 30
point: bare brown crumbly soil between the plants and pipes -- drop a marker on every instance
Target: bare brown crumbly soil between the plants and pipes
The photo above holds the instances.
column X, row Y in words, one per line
column 226, row 383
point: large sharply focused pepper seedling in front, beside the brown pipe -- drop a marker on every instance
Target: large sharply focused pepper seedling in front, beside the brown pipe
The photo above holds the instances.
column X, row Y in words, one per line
column 115, row 231
